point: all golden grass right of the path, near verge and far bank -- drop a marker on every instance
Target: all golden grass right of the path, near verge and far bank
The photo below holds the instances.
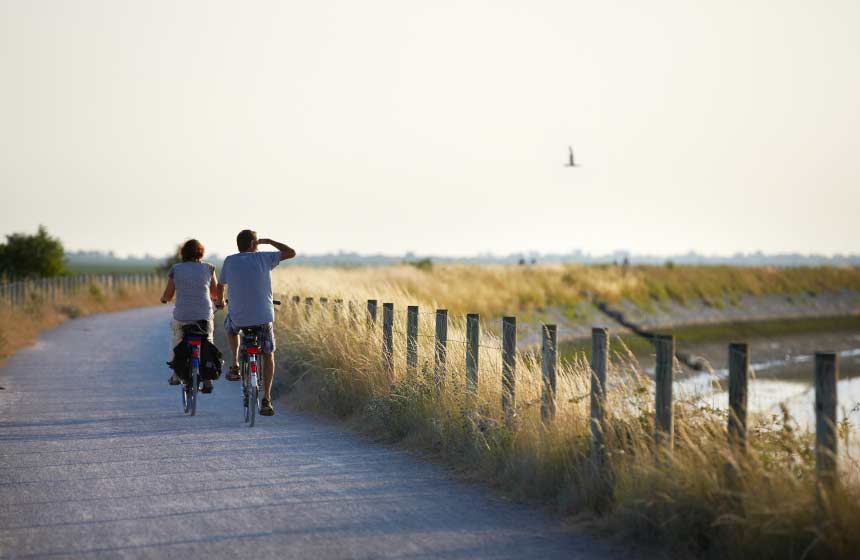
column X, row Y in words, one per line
column 684, row 504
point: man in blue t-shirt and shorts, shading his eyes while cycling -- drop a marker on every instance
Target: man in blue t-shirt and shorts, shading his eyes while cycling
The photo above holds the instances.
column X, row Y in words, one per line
column 248, row 273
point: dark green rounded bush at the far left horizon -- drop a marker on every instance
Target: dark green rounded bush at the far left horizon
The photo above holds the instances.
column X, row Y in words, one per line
column 27, row 256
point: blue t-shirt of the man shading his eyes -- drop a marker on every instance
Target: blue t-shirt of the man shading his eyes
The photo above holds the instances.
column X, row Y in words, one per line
column 249, row 280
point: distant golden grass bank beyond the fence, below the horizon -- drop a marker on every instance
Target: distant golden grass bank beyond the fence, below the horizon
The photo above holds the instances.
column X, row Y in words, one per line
column 498, row 289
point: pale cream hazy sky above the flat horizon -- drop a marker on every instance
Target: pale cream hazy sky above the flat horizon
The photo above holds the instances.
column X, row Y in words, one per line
column 437, row 127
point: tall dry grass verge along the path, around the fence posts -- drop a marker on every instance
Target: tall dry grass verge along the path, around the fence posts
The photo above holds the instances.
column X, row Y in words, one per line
column 684, row 504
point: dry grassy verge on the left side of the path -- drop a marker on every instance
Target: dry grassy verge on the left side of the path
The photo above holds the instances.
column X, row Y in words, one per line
column 20, row 325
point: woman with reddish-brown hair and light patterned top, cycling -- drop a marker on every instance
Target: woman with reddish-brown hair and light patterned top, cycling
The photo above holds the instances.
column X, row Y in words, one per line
column 193, row 282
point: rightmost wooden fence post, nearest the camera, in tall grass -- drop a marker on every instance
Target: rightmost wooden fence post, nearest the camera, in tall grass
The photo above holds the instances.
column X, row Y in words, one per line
column 826, row 378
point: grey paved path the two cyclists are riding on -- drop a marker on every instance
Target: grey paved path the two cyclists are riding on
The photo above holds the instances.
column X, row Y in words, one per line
column 97, row 460
